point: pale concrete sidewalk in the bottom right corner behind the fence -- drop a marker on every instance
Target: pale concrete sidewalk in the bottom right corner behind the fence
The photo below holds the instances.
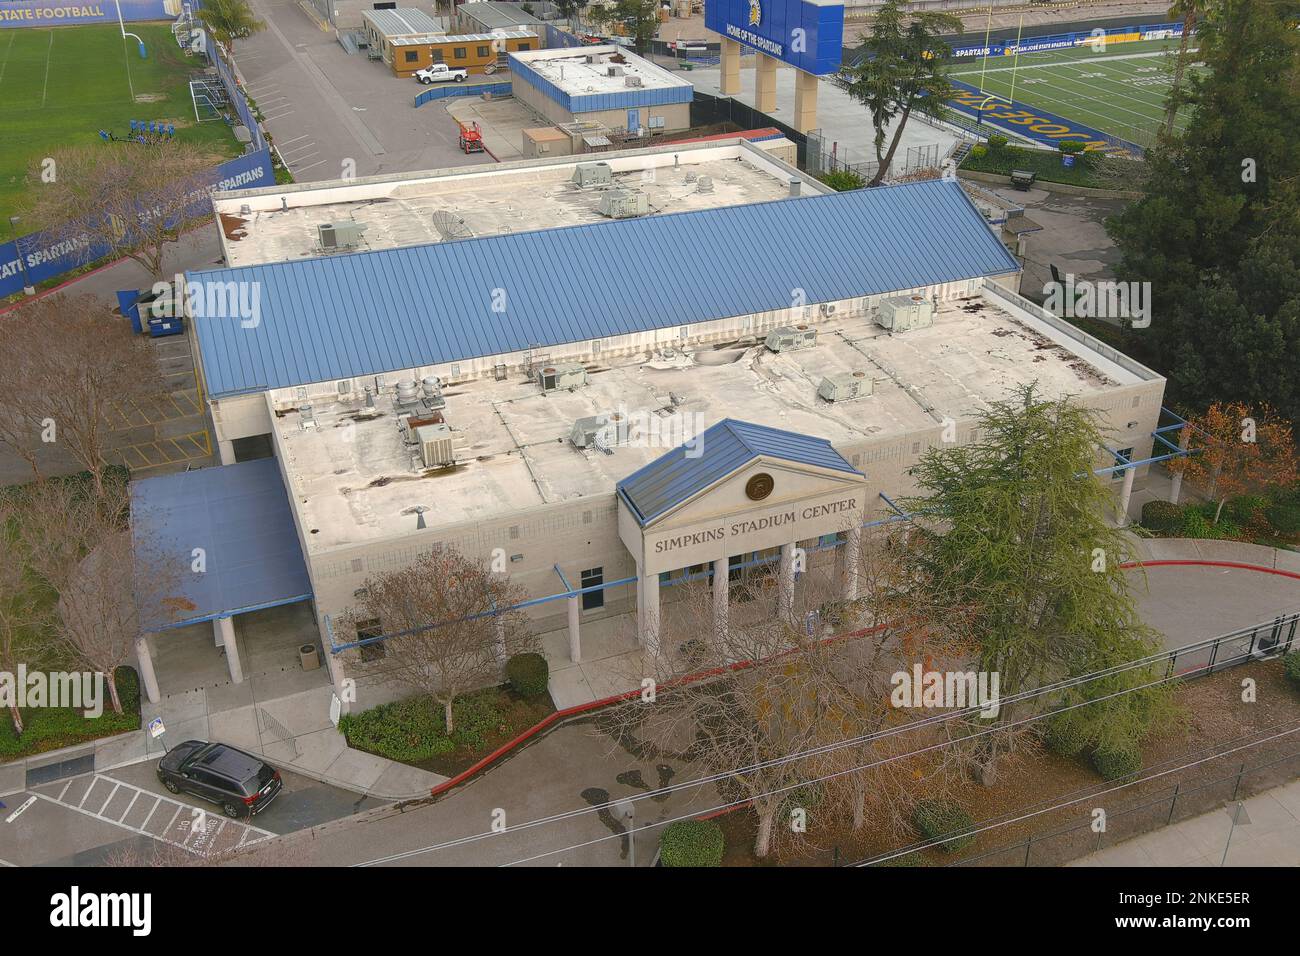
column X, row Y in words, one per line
column 1271, row 840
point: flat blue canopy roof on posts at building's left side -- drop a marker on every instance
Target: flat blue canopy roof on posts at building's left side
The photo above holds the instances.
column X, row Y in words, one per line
column 239, row 514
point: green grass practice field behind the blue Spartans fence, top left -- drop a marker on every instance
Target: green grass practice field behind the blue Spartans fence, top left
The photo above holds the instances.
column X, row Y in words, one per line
column 60, row 86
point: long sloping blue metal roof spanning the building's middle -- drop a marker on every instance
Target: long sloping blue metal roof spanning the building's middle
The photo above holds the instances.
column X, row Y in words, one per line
column 370, row 313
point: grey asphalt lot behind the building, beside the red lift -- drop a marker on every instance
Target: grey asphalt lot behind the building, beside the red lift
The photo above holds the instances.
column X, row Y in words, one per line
column 326, row 109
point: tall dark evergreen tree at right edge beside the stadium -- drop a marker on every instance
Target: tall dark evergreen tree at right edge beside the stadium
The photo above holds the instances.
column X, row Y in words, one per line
column 1217, row 233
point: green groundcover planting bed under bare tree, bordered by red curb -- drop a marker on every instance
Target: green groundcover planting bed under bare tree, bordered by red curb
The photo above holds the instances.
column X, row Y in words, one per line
column 414, row 732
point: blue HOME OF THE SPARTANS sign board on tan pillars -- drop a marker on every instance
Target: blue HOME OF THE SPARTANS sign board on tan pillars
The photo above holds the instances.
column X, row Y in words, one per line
column 807, row 34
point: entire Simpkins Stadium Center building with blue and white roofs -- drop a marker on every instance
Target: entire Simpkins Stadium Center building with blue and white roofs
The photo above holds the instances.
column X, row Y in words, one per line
column 613, row 375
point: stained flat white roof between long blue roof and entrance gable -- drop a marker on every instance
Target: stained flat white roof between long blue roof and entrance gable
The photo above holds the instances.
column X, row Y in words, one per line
column 354, row 479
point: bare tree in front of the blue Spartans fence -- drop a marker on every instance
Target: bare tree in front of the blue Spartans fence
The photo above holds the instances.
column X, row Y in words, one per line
column 123, row 200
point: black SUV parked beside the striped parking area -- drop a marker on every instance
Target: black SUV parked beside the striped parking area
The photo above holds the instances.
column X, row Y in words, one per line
column 241, row 784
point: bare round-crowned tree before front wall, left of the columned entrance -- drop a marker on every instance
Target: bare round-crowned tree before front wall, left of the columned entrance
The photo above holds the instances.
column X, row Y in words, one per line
column 449, row 624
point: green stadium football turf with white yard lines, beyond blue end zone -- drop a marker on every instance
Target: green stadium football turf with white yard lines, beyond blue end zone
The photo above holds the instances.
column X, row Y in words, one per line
column 1120, row 90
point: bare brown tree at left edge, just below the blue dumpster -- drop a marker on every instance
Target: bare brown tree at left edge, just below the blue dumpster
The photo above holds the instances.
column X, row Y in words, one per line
column 73, row 366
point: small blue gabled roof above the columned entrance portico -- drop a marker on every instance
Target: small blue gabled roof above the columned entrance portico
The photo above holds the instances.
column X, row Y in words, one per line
column 723, row 448
